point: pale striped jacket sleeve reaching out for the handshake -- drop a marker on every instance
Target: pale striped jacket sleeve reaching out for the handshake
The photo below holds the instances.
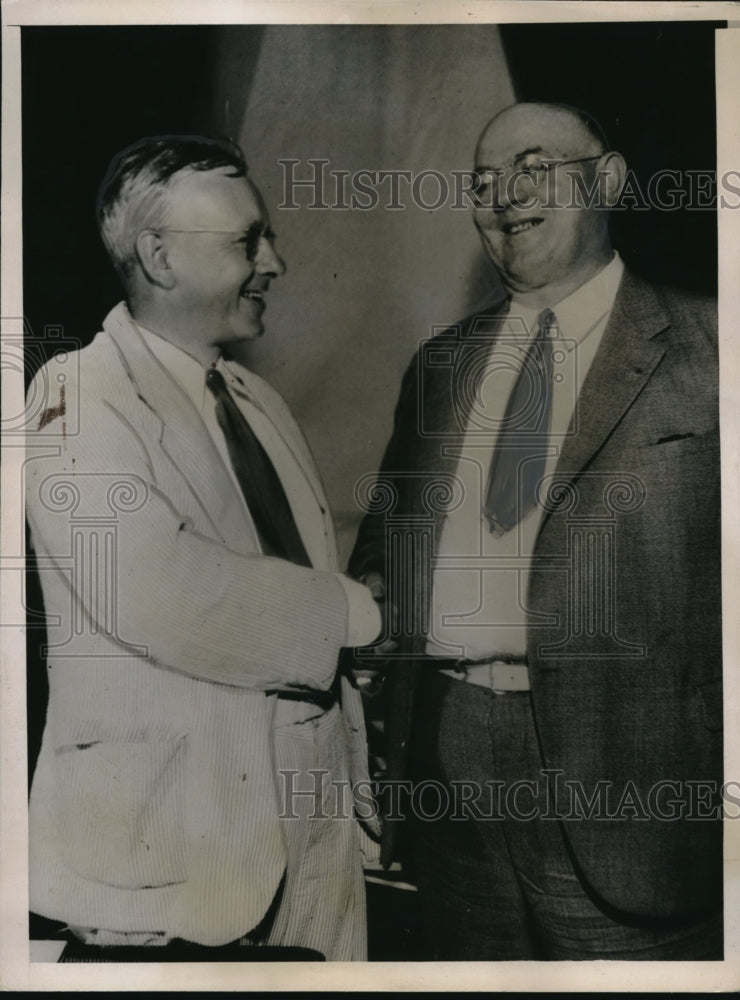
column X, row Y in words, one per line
column 193, row 603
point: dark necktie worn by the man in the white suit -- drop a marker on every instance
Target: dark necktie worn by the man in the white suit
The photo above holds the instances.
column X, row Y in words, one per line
column 260, row 484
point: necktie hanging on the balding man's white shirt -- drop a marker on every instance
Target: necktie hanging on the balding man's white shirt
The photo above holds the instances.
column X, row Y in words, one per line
column 521, row 449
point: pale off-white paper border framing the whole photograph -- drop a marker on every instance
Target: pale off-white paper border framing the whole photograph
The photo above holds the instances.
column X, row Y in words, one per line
column 16, row 971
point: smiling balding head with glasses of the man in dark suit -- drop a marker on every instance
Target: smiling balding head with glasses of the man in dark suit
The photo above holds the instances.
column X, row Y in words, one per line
column 544, row 241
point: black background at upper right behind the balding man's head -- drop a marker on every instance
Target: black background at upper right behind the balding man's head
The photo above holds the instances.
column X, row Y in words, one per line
column 651, row 87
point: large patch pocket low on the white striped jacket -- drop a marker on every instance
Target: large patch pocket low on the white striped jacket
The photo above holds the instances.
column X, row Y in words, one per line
column 119, row 811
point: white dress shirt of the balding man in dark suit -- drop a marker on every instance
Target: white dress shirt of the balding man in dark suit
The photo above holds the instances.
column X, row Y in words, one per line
column 479, row 582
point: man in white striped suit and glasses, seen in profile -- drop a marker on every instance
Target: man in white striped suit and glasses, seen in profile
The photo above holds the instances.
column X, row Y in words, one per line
column 194, row 626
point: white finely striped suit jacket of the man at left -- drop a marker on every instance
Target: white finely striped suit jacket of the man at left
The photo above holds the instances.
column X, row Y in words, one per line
column 154, row 803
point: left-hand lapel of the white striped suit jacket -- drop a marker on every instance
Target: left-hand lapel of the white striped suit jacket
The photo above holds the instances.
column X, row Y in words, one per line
column 183, row 435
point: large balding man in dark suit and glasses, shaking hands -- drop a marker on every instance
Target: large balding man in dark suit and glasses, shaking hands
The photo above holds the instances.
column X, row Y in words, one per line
column 545, row 531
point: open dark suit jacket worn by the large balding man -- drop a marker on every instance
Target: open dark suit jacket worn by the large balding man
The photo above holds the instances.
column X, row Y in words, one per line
column 624, row 630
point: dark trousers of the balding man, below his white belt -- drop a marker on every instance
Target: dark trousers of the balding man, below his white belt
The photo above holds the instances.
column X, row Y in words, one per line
column 501, row 885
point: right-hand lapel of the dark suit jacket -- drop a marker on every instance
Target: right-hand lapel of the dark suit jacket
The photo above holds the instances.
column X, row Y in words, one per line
column 625, row 361
